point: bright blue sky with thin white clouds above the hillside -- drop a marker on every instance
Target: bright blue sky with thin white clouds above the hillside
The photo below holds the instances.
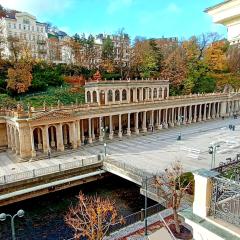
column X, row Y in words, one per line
column 149, row 18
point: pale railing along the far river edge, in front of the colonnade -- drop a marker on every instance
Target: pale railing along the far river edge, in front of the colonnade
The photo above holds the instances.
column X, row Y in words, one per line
column 47, row 170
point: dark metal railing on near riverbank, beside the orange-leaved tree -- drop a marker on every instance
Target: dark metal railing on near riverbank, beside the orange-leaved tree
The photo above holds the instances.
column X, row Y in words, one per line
column 135, row 217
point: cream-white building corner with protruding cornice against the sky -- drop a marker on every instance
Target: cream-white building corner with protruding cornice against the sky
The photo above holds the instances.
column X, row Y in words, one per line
column 228, row 14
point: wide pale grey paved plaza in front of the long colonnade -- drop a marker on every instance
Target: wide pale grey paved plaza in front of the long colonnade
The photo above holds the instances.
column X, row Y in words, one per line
column 153, row 152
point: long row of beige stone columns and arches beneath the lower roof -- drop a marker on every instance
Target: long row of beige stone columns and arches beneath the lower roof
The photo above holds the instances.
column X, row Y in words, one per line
column 67, row 133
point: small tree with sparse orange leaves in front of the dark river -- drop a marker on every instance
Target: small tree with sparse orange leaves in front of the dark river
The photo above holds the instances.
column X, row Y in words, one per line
column 91, row 217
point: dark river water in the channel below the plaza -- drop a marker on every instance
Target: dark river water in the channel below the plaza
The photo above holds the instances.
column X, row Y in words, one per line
column 44, row 216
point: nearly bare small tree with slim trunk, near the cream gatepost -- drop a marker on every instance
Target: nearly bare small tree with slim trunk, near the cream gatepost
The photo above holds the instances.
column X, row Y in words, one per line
column 172, row 187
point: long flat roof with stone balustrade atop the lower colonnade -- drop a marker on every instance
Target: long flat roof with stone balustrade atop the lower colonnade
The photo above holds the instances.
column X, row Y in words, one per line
column 86, row 110
